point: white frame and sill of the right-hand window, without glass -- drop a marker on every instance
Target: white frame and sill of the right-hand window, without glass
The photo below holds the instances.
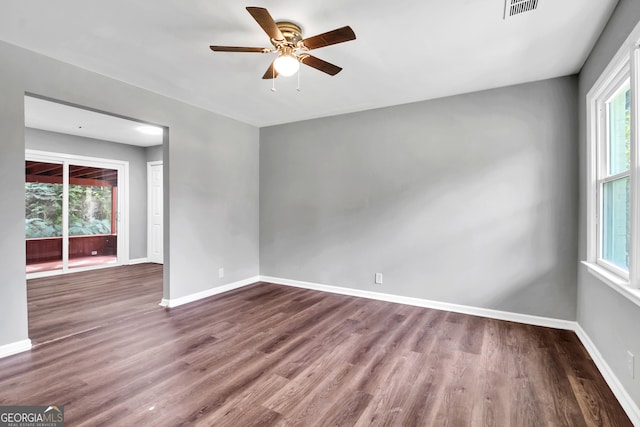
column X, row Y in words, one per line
column 625, row 64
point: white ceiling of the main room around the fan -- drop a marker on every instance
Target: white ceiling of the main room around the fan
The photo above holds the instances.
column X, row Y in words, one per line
column 405, row 51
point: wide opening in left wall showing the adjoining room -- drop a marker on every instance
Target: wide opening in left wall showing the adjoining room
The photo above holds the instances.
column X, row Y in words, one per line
column 88, row 193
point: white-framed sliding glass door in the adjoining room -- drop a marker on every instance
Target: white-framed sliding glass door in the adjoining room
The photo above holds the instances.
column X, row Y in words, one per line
column 71, row 214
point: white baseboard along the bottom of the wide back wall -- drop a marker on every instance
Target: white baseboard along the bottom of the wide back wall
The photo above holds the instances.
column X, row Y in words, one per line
column 419, row 302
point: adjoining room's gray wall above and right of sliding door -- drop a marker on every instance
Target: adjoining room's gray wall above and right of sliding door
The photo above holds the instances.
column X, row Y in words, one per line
column 36, row 139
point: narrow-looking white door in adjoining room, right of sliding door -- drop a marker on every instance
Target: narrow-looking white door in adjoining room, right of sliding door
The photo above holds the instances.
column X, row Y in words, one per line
column 154, row 209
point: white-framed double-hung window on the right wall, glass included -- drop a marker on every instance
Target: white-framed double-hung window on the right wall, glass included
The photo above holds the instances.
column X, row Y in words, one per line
column 613, row 195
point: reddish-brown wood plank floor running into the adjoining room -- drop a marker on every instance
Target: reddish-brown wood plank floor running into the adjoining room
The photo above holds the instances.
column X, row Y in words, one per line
column 275, row 355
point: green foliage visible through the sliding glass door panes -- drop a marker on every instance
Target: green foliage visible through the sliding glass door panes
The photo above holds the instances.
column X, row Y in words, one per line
column 89, row 210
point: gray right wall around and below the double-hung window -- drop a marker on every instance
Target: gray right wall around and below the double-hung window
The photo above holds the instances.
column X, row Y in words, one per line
column 610, row 320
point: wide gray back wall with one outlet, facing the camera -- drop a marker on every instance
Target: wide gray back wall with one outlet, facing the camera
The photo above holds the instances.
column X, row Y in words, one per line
column 470, row 199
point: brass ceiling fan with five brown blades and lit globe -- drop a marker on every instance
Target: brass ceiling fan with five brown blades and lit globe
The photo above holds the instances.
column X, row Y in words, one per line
column 292, row 49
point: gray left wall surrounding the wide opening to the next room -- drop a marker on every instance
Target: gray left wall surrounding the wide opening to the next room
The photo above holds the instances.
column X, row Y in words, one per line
column 211, row 179
